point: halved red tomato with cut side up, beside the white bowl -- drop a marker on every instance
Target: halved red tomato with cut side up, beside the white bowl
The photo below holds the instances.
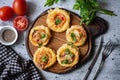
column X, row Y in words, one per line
column 20, row 23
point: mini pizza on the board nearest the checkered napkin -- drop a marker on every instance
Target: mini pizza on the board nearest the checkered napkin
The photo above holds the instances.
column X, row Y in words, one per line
column 44, row 58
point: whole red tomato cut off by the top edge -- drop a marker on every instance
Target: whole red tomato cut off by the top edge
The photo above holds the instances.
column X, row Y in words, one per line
column 20, row 7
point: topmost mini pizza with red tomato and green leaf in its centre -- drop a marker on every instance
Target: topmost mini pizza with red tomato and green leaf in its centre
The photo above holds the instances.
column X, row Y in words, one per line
column 58, row 20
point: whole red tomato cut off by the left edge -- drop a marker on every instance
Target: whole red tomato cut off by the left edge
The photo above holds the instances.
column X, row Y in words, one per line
column 6, row 13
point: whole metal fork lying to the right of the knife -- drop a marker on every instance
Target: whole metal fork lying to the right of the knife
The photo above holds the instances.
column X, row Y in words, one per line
column 105, row 53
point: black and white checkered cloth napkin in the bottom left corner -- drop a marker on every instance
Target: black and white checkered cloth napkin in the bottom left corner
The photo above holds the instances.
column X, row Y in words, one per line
column 13, row 67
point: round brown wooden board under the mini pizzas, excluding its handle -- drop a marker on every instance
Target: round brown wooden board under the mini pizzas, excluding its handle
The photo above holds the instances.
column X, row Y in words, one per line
column 57, row 40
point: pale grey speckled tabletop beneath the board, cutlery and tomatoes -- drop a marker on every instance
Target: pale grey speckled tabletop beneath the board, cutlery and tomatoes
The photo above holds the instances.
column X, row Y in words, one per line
column 111, row 69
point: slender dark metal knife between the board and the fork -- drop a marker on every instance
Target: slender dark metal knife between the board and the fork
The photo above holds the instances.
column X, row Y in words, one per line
column 94, row 59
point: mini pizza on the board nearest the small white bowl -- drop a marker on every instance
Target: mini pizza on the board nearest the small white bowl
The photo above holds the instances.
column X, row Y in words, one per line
column 39, row 35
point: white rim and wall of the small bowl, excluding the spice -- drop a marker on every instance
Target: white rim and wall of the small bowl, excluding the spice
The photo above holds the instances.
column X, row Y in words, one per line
column 2, row 29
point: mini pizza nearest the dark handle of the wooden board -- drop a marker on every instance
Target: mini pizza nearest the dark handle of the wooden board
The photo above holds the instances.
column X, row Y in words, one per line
column 77, row 35
